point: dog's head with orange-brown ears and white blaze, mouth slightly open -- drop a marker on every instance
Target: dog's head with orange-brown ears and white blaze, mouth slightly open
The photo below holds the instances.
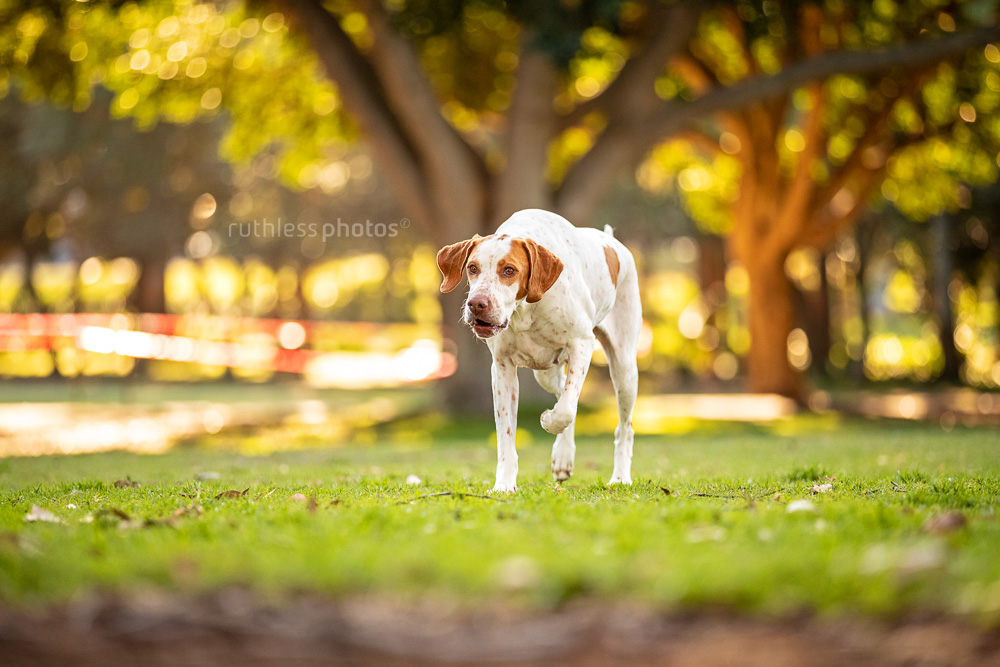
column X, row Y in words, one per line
column 502, row 271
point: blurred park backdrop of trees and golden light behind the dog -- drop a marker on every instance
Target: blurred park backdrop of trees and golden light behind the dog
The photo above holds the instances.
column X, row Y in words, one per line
column 224, row 215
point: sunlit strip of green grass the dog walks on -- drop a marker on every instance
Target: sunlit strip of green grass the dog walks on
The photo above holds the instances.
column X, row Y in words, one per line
column 722, row 538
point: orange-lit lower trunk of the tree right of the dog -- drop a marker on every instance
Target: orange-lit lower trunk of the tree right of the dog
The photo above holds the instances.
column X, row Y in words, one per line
column 771, row 318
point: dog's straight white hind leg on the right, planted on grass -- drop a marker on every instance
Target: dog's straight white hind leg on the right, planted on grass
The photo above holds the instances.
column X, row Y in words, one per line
column 619, row 336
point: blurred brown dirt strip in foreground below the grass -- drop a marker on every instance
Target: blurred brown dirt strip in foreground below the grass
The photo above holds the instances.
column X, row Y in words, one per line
column 237, row 628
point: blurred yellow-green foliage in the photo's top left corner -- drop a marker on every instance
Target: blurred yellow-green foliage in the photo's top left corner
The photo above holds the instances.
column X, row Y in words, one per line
column 179, row 61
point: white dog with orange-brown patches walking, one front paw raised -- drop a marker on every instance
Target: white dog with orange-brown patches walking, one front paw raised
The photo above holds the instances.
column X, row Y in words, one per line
column 540, row 292
